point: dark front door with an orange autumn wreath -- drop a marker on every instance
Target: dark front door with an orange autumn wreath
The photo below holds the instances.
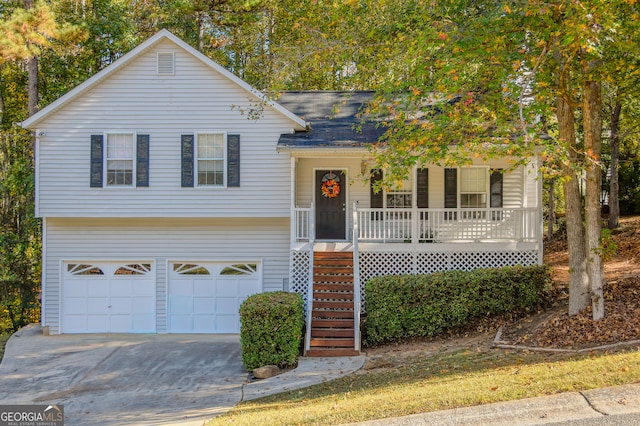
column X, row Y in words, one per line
column 331, row 208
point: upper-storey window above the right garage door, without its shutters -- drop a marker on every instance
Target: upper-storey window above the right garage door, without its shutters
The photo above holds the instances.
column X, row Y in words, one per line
column 210, row 159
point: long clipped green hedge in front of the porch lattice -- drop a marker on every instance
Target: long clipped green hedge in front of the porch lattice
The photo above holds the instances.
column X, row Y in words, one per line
column 407, row 306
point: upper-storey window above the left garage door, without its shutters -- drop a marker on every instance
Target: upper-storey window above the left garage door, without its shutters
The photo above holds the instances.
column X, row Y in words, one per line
column 120, row 159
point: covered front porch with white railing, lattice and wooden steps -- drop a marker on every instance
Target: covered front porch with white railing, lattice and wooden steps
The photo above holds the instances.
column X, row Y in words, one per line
column 399, row 237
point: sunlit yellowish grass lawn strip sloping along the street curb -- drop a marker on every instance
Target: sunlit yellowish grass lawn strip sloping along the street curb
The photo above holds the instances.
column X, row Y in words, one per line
column 437, row 382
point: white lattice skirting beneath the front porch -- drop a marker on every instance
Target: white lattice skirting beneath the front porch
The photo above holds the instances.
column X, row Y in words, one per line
column 374, row 264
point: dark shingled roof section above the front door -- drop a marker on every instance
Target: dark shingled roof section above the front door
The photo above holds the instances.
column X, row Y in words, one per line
column 334, row 117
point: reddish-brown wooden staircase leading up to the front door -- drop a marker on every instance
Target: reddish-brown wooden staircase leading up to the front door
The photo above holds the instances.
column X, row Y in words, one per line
column 332, row 313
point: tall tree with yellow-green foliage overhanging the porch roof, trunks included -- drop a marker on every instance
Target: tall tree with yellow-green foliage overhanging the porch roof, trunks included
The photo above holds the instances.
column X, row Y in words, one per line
column 490, row 70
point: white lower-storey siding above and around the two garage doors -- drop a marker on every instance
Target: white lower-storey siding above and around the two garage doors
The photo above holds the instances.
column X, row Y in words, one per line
column 162, row 241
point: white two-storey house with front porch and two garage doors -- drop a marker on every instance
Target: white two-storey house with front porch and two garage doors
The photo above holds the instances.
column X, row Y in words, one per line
column 170, row 190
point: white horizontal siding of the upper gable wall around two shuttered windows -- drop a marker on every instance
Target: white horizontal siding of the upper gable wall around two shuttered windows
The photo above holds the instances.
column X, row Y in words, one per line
column 164, row 107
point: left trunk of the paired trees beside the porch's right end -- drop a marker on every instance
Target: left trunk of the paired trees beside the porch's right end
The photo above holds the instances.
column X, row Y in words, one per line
column 578, row 281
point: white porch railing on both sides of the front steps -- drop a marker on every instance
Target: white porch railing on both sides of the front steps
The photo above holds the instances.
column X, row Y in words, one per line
column 436, row 225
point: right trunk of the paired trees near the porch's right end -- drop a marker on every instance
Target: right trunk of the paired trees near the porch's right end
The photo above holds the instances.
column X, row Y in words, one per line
column 592, row 123
